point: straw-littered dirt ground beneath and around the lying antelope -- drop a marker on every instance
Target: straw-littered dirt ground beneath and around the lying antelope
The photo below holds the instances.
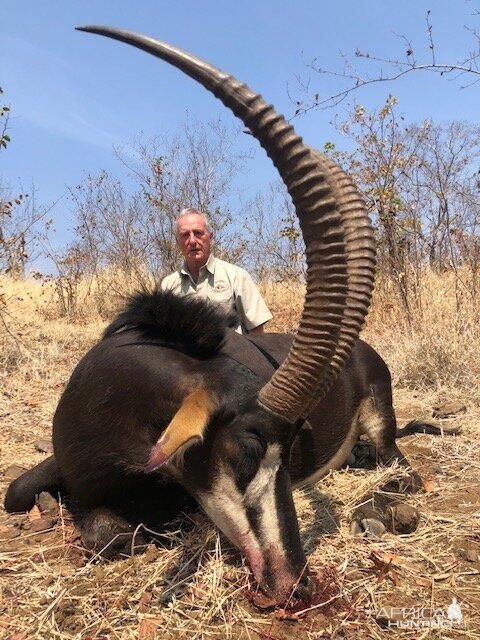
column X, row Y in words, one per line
column 194, row 585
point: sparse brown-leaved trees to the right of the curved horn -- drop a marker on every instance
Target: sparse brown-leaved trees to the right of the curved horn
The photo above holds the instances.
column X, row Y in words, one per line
column 420, row 187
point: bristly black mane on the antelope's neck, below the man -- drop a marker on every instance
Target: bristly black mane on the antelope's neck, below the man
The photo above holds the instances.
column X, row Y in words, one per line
column 193, row 324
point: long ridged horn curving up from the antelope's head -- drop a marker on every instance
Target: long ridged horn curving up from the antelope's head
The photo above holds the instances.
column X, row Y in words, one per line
column 337, row 232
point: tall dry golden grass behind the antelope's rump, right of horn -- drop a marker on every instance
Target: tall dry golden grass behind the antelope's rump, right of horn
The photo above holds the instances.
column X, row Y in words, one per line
column 439, row 345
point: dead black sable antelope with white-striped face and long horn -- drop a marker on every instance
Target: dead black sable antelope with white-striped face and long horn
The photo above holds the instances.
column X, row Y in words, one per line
column 171, row 401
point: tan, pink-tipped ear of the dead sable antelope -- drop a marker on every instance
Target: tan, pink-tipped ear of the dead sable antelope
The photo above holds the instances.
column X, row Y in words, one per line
column 187, row 427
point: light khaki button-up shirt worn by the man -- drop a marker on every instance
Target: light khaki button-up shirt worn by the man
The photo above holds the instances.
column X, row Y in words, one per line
column 226, row 284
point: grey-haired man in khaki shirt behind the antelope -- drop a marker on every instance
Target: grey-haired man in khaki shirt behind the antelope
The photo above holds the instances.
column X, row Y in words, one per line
column 219, row 281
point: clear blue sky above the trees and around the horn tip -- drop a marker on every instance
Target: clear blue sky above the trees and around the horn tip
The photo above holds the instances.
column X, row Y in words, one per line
column 74, row 96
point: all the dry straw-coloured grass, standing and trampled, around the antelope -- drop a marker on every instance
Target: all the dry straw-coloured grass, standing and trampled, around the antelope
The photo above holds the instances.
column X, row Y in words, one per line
column 195, row 585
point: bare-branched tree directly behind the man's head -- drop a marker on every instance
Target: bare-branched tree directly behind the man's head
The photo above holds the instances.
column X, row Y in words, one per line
column 195, row 169
